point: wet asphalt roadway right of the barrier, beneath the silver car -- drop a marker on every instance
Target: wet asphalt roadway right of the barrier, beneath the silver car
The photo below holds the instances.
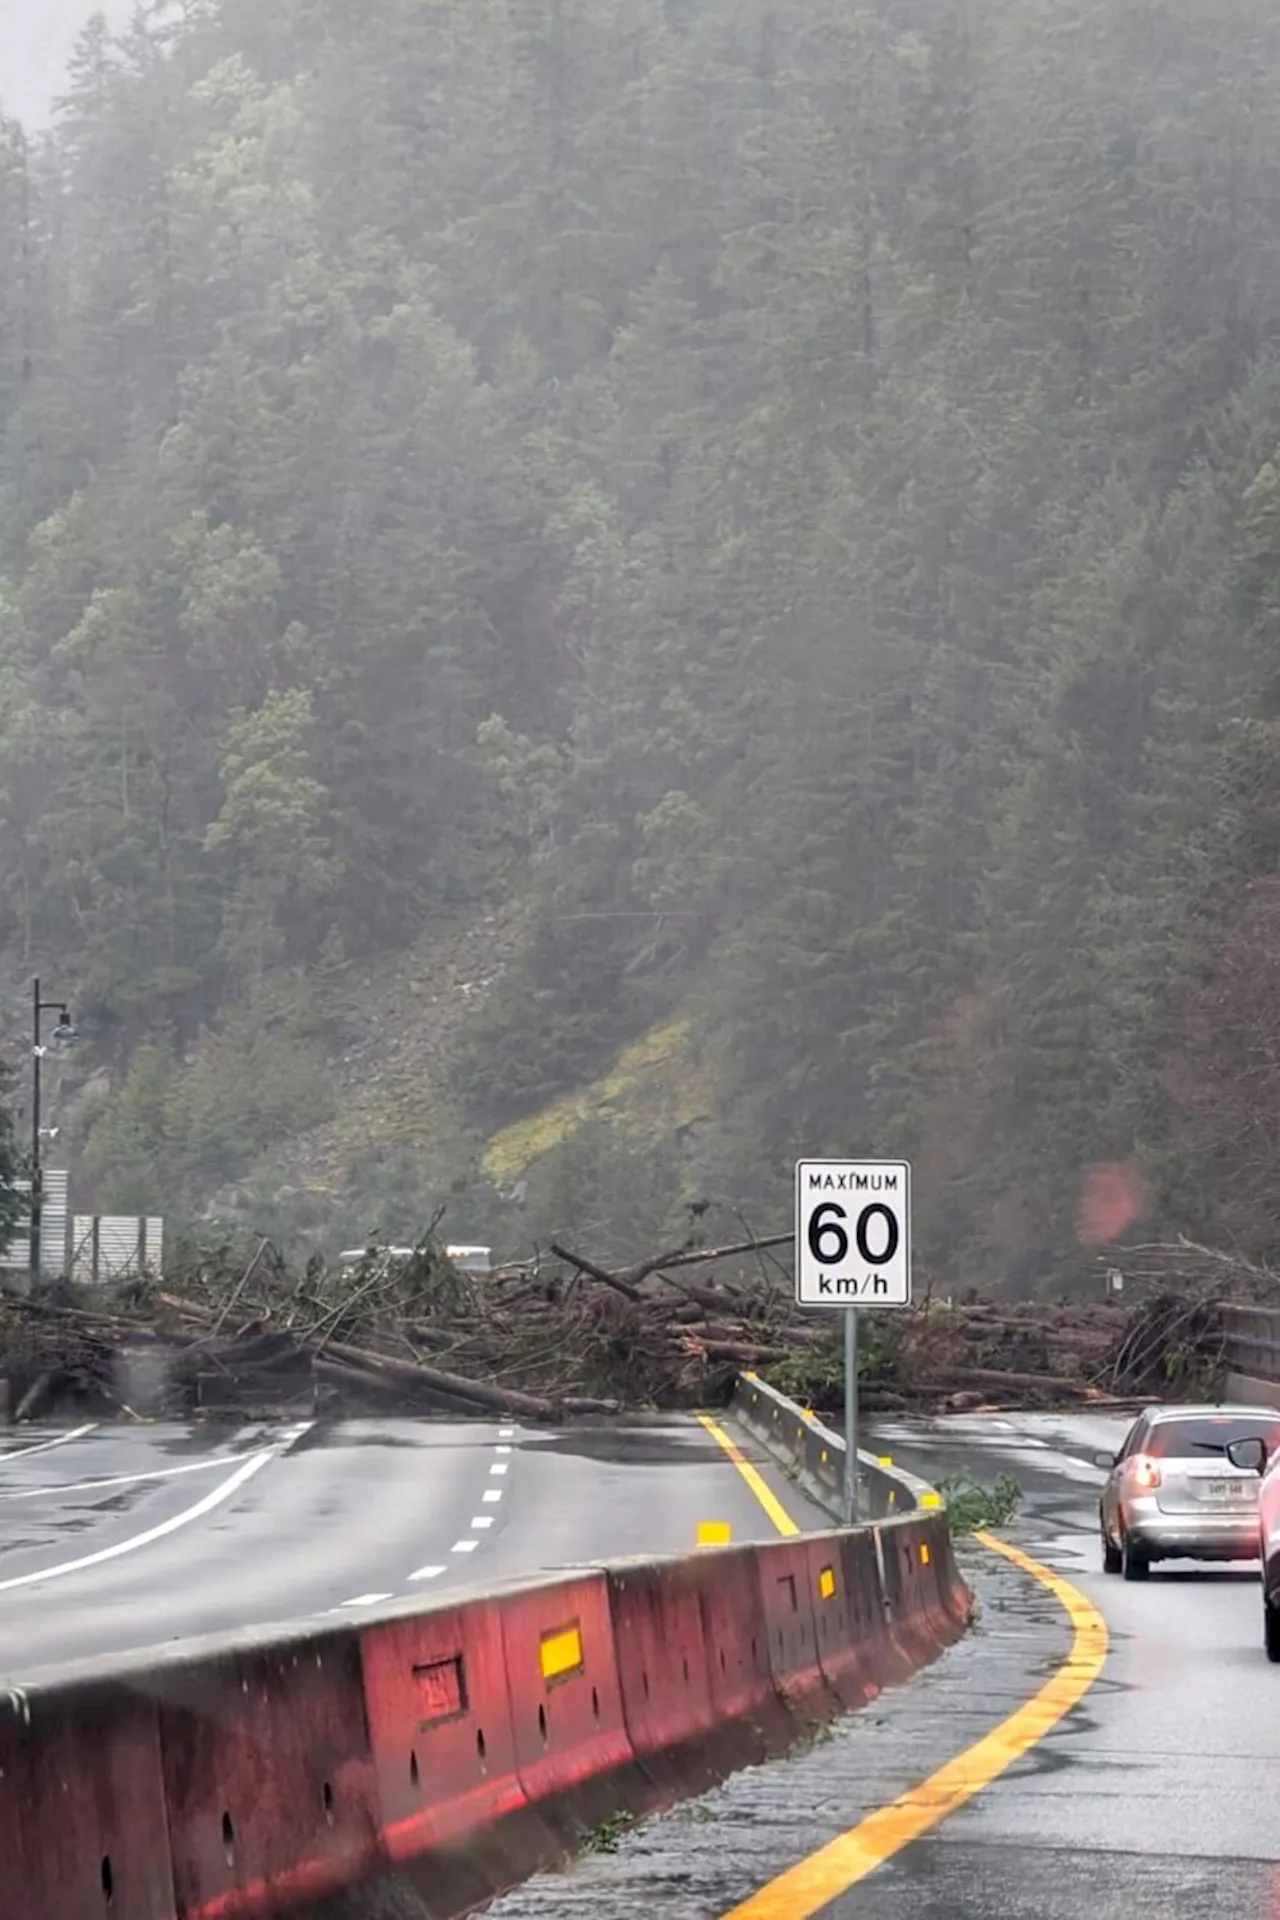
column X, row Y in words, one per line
column 1154, row 1800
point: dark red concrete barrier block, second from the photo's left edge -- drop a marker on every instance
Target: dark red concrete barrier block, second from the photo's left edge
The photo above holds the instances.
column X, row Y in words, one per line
column 270, row 1783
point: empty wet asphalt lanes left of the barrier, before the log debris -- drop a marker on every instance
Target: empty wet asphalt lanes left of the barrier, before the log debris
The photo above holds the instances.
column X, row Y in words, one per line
column 118, row 1541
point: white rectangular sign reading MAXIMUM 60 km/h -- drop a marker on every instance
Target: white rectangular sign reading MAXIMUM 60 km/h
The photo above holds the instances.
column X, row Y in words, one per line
column 853, row 1234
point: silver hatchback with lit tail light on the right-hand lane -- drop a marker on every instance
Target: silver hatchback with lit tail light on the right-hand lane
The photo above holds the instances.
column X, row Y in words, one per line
column 1173, row 1491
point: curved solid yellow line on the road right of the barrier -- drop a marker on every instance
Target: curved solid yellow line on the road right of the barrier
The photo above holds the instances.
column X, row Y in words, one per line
column 807, row 1888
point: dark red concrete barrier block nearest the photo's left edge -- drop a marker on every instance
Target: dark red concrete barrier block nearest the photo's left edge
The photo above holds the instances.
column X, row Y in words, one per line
column 83, row 1806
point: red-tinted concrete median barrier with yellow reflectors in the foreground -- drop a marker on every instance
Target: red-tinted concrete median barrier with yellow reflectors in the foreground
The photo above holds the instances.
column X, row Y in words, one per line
column 460, row 1744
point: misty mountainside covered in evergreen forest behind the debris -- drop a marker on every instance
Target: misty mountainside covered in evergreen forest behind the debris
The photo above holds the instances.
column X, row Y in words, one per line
column 776, row 502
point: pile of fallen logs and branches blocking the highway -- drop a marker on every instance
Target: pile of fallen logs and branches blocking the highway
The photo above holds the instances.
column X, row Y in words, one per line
column 561, row 1337
